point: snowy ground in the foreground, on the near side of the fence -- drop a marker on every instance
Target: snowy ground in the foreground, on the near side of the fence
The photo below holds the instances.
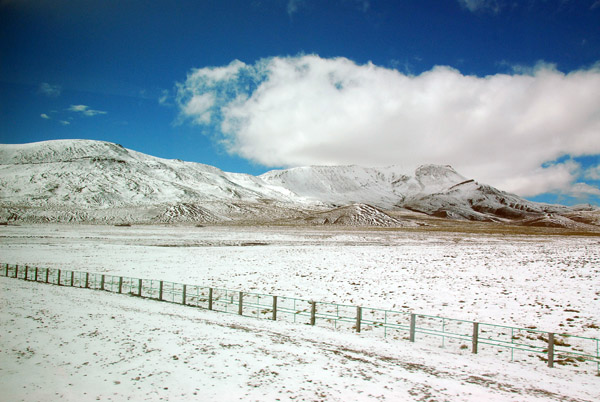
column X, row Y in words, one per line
column 80, row 345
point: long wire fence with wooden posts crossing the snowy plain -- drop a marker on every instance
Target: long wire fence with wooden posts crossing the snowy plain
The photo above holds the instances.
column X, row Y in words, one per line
column 559, row 349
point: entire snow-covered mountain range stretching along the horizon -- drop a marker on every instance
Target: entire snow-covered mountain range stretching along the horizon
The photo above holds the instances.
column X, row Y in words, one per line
column 94, row 181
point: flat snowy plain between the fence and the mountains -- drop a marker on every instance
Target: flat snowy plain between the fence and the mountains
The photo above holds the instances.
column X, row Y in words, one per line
column 548, row 282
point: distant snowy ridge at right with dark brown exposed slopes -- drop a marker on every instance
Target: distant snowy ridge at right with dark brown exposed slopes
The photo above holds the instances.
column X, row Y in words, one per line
column 432, row 189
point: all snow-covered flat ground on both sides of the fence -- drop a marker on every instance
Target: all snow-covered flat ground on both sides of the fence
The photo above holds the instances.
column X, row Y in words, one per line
column 66, row 341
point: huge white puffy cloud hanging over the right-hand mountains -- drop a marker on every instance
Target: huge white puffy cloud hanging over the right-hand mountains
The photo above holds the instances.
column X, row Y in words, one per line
column 502, row 129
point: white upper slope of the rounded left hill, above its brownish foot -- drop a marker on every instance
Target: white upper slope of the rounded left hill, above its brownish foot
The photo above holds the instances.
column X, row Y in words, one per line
column 98, row 174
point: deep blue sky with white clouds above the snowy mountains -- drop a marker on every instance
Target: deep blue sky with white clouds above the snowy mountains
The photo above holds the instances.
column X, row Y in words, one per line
column 506, row 92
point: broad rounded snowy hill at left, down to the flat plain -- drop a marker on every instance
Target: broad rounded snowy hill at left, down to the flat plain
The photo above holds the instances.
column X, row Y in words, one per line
column 84, row 180
